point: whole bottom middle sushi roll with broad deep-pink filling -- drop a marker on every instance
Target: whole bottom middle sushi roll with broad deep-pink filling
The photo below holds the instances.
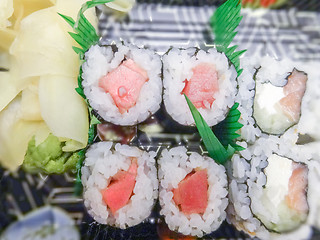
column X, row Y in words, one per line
column 192, row 192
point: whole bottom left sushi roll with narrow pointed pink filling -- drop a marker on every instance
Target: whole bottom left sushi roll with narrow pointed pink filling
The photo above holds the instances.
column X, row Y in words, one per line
column 120, row 184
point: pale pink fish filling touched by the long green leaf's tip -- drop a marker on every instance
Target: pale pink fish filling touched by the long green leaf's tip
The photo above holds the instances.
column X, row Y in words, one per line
column 202, row 85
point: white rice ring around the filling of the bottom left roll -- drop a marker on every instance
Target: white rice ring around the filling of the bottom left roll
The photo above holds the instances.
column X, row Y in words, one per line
column 102, row 162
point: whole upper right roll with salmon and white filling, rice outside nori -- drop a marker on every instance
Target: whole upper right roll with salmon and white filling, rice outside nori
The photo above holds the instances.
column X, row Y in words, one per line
column 271, row 96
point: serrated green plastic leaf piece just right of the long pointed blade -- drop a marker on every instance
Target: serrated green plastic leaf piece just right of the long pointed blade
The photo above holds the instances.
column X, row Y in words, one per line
column 226, row 130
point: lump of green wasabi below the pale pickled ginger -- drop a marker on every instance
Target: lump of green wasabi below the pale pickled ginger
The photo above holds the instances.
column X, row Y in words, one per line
column 48, row 157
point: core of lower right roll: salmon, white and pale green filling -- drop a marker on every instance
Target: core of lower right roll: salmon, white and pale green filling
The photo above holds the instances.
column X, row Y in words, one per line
column 282, row 204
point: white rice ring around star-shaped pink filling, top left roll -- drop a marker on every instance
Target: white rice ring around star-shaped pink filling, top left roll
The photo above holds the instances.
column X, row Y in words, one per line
column 101, row 60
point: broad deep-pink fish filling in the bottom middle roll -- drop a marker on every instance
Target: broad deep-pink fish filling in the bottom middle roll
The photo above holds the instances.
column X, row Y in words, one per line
column 192, row 193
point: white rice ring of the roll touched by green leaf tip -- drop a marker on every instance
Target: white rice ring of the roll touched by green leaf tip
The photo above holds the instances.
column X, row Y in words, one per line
column 177, row 67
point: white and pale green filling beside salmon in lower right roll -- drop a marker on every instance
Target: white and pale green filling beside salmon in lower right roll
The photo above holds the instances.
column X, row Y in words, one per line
column 273, row 209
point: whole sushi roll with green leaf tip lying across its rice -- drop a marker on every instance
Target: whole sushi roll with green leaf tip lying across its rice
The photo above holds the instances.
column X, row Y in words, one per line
column 206, row 78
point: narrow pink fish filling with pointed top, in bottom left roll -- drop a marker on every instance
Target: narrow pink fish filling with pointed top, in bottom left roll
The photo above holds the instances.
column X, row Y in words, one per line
column 120, row 189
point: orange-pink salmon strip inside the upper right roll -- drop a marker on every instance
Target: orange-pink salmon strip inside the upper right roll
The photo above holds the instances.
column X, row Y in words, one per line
column 294, row 91
